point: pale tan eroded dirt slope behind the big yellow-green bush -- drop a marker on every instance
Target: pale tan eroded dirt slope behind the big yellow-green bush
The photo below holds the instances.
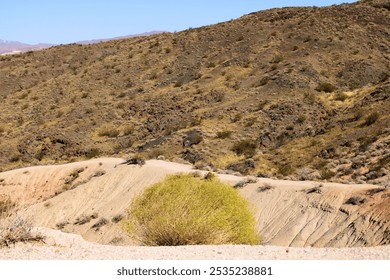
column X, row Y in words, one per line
column 289, row 213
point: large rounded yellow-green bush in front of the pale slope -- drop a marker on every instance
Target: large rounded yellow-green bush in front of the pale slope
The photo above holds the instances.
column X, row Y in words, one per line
column 188, row 210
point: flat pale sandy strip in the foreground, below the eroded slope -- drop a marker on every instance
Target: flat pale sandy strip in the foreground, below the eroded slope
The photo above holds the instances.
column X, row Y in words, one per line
column 64, row 246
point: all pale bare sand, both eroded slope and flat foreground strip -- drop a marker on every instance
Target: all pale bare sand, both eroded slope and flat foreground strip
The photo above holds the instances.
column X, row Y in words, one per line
column 289, row 214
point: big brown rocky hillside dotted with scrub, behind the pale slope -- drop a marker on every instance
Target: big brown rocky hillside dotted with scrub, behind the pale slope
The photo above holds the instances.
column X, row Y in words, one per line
column 295, row 93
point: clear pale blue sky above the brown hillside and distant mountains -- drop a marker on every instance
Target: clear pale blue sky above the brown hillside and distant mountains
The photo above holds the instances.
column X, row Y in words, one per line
column 67, row 21
